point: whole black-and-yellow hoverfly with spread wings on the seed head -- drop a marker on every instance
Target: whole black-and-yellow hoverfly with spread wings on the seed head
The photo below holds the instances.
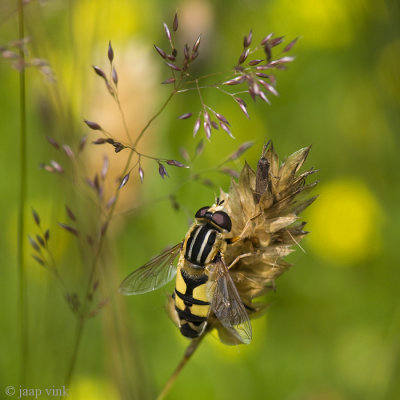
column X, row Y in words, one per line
column 203, row 284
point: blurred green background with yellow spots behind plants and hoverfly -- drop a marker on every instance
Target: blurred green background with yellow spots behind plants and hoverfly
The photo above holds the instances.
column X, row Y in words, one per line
column 332, row 330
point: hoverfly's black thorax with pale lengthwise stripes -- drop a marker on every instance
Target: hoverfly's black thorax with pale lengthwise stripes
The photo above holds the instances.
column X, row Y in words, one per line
column 200, row 245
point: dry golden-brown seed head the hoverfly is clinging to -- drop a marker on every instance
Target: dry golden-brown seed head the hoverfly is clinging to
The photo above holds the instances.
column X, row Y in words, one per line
column 264, row 206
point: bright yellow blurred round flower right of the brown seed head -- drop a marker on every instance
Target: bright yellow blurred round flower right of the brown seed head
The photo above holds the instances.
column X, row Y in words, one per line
column 345, row 222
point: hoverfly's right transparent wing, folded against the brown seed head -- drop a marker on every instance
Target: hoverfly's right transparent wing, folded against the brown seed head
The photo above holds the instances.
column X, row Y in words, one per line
column 228, row 306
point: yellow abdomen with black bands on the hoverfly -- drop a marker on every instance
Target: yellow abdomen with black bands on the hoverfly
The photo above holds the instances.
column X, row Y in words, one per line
column 191, row 302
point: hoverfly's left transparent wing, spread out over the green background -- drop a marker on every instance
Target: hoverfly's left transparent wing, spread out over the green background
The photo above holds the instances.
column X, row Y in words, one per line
column 152, row 275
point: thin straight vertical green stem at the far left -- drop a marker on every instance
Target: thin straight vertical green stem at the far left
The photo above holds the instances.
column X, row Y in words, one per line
column 23, row 310
